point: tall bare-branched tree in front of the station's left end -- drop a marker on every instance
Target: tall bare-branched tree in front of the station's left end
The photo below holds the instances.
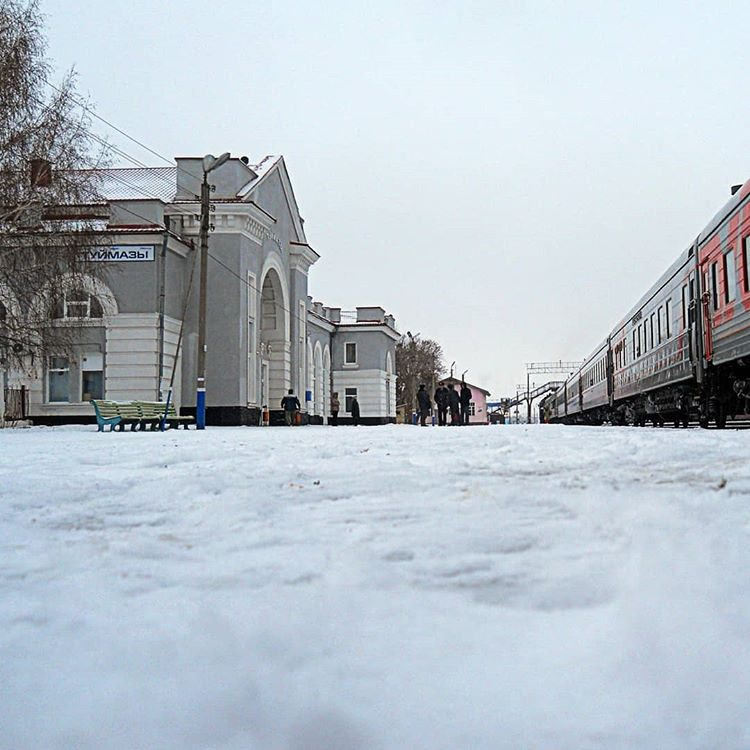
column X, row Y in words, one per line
column 47, row 197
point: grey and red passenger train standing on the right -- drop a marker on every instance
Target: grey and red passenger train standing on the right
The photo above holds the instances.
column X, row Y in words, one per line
column 682, row 353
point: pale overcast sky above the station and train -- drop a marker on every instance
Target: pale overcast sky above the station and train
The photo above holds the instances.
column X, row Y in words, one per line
column 504, row 177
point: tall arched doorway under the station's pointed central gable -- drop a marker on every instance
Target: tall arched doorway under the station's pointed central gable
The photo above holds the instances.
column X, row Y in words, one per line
column 274, row 340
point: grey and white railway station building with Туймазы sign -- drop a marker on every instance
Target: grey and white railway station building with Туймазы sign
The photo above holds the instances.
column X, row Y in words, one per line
column 137, row 321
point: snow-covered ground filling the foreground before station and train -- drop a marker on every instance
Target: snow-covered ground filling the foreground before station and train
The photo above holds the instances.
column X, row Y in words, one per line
column 385, row 588
